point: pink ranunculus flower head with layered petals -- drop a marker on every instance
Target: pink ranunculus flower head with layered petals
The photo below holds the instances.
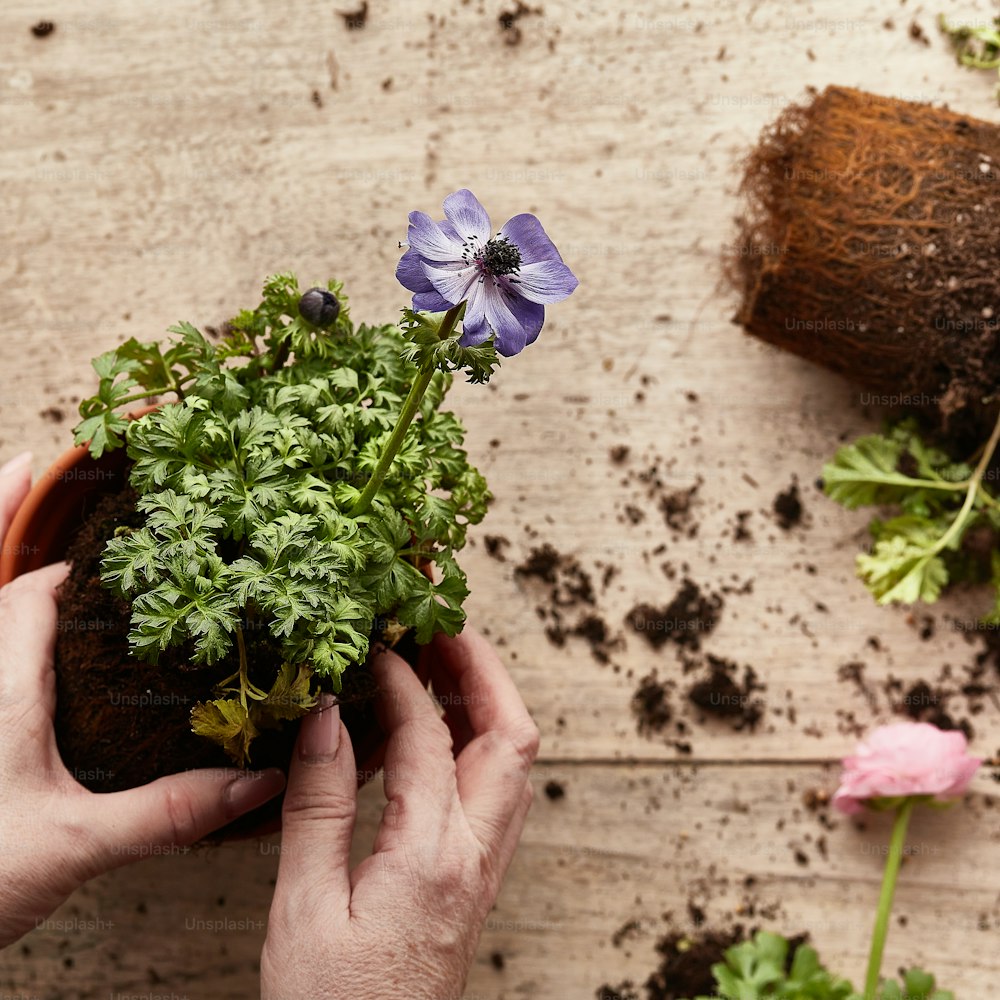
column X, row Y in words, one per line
column 906, row 758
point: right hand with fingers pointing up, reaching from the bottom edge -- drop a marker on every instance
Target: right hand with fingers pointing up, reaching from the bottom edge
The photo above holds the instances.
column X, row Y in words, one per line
column 407, row 920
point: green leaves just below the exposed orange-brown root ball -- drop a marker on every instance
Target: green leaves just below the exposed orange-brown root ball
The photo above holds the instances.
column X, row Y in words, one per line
column 919, row 551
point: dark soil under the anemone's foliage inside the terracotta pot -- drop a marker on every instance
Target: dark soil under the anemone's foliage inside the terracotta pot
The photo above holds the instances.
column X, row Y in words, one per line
column 121, row 722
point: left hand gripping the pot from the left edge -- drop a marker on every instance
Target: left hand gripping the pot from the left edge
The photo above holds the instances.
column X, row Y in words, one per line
column 54, row 834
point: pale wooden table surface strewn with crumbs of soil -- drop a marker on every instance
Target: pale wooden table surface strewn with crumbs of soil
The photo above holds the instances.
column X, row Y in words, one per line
column 158, row 162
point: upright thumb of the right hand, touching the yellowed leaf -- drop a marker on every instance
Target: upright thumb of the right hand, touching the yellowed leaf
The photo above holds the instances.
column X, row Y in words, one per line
column 319, row 812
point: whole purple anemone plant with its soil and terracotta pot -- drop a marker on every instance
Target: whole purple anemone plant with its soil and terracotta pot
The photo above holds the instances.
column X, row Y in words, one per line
column 294, row 494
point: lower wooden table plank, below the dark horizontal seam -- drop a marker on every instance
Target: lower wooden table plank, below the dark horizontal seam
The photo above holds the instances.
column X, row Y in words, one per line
column 625, row 843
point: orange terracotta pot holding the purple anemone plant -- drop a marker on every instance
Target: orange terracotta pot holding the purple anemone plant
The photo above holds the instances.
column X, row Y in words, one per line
column 57, row 505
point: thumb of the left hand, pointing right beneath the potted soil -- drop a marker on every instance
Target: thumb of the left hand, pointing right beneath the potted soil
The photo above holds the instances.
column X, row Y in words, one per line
column 174, row 811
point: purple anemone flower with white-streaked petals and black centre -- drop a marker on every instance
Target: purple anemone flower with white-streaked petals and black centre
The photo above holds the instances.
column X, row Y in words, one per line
column 504, row 280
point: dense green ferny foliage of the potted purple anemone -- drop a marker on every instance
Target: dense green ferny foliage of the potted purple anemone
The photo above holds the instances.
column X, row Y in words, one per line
column 246, row 479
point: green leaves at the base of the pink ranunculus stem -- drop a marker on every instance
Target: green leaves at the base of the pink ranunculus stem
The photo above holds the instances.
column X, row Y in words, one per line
column 760, row 970
